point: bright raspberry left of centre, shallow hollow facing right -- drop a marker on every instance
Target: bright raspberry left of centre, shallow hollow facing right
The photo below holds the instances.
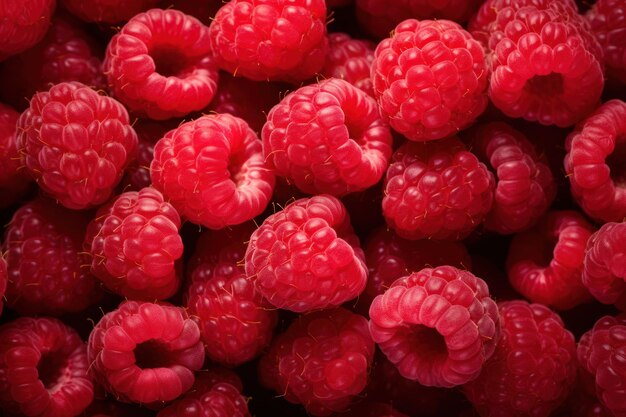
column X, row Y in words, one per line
column 212, row 170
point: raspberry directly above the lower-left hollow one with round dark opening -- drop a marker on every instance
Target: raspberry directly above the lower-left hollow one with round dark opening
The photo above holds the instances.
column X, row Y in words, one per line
column 134, row 245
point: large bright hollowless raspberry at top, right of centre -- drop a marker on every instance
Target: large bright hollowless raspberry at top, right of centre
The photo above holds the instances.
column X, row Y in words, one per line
column 430, row 79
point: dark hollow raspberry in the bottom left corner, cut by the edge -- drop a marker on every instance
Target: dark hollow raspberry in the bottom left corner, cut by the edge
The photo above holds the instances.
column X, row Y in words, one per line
column 43, row 369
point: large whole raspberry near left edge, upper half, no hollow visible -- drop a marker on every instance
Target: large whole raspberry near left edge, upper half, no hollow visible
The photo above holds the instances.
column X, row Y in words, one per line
column 76, row 143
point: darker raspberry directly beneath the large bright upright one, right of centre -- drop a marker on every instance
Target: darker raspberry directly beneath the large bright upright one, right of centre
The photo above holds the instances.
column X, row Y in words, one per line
column 436, row 190
